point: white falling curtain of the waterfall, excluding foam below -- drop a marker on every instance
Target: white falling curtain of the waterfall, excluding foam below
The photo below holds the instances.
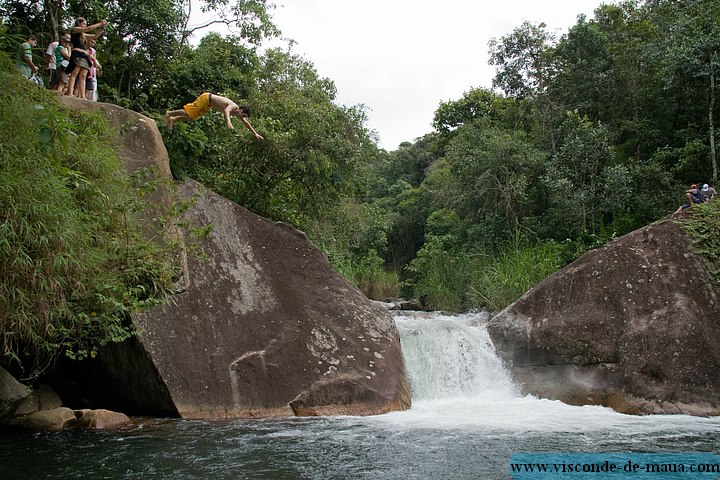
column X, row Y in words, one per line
column 452, row 356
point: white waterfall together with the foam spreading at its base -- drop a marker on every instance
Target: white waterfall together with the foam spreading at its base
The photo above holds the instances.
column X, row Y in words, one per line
column 457, row 381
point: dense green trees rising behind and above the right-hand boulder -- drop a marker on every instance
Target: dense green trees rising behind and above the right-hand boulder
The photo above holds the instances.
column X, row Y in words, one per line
column 586, row 137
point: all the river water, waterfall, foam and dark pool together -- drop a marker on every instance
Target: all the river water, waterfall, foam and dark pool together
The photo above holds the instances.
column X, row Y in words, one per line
column 466, row 422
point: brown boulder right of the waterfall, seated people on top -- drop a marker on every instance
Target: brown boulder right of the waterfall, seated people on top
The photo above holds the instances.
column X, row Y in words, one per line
column 634, row 325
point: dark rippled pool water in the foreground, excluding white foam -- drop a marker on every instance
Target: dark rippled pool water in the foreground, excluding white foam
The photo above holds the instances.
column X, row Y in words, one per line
column 326, row 448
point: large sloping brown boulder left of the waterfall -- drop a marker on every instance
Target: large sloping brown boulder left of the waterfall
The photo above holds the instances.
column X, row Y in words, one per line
column 266, row 327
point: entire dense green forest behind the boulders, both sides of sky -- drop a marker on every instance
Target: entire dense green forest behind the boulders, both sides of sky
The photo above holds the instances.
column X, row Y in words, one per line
column 585, row 136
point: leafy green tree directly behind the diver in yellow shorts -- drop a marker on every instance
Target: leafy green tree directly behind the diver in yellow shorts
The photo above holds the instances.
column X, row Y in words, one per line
column 313, row 148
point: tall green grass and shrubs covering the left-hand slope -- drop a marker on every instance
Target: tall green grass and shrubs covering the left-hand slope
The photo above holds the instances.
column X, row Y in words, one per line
column 72, row 261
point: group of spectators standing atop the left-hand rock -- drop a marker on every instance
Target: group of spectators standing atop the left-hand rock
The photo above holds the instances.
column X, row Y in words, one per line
column 71, row 60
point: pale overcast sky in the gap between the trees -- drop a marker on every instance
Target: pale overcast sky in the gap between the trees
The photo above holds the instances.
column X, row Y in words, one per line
column 401, row 58
